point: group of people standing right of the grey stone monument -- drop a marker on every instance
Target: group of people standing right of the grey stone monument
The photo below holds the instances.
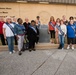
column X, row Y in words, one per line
column 62, row 28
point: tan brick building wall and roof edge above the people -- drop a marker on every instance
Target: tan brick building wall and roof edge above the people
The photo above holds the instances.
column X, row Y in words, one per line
column 43, row 8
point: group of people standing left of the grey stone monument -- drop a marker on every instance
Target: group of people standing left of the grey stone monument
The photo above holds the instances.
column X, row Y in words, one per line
column 15, row 29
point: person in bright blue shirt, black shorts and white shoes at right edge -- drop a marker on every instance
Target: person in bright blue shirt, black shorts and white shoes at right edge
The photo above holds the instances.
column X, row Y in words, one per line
column 71, row 34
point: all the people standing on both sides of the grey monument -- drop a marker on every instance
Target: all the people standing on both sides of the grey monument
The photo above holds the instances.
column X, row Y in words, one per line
column 15, row 29
